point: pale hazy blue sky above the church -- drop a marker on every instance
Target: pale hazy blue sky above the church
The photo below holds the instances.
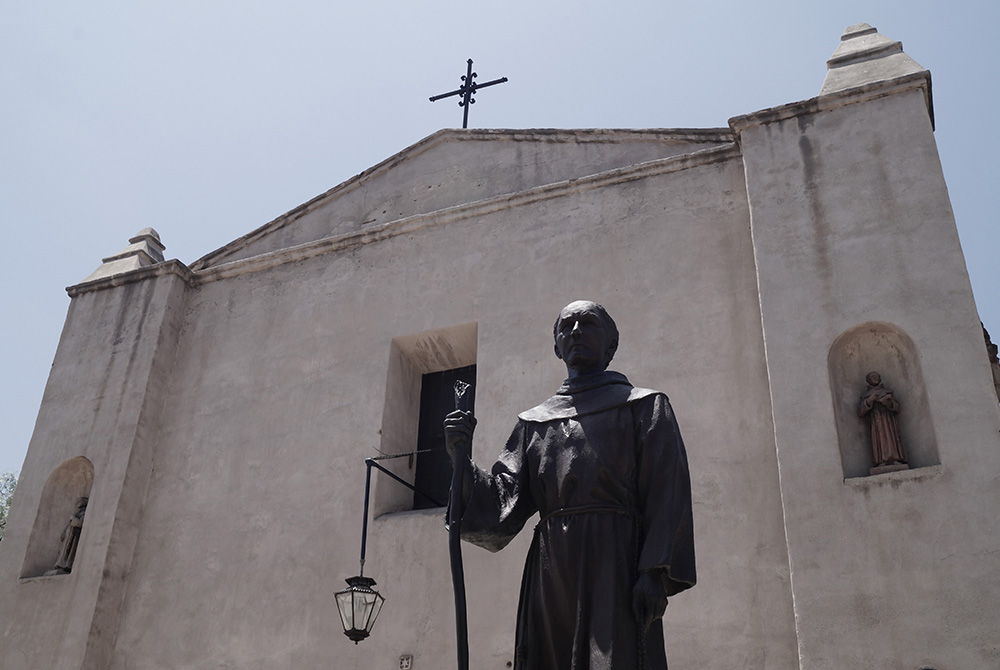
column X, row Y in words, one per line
column 206, row 120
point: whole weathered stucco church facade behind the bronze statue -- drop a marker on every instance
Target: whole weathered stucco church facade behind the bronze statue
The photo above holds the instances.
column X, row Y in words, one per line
column 217, row 416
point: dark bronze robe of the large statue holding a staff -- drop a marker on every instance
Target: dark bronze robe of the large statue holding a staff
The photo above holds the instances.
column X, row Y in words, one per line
column 604, row 466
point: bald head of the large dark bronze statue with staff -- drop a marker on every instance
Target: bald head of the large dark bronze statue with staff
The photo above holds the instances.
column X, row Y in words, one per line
column 583, row 339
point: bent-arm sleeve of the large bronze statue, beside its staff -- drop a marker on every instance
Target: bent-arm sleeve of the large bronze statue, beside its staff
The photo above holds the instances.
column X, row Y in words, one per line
column 501, row 500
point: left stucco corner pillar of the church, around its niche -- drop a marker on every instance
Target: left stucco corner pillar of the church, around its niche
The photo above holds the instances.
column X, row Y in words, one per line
column 101, row 403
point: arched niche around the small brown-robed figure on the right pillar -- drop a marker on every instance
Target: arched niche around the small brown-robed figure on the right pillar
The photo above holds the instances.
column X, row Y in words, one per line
column 888, row 350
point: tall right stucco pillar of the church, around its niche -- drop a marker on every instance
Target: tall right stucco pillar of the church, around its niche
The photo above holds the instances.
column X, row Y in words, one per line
column 852, row 224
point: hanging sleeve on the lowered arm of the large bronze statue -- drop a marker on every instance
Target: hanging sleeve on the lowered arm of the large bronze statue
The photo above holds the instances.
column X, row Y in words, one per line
column 664, row 496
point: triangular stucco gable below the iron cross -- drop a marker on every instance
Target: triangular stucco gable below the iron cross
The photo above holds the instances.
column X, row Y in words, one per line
column 451, row 168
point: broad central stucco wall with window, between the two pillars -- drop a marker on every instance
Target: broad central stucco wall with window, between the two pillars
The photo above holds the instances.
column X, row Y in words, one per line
column 255, row 502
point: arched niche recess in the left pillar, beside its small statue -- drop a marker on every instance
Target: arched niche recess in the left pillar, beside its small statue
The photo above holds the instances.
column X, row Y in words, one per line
column 72, row 480
